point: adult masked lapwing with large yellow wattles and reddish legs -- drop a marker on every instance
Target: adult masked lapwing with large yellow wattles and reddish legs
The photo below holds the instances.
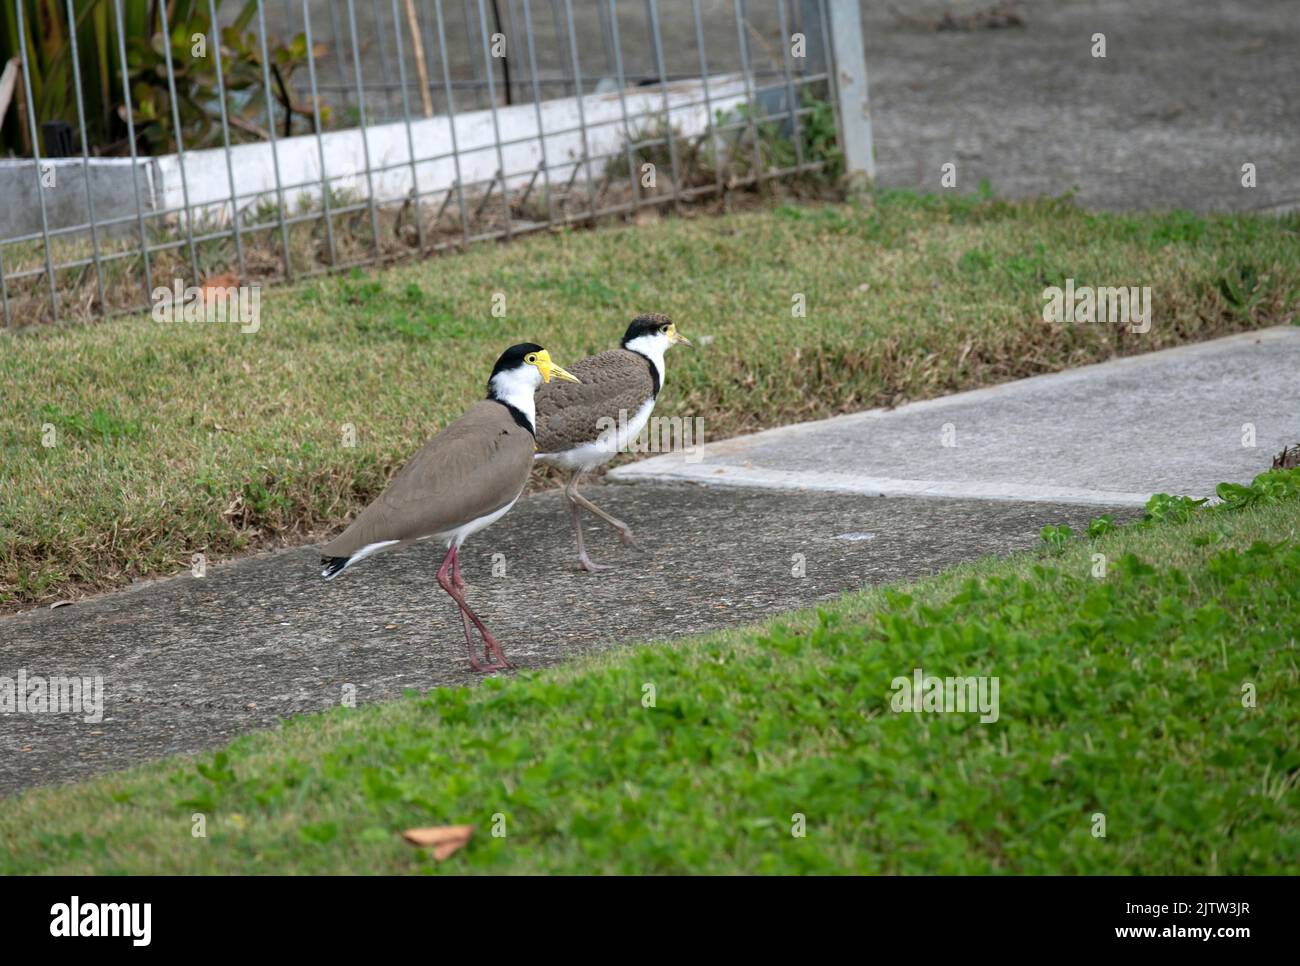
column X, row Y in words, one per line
column 463, row 480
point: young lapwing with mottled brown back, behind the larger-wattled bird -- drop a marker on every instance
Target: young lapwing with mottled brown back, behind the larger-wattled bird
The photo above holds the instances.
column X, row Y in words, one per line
column 584, row 426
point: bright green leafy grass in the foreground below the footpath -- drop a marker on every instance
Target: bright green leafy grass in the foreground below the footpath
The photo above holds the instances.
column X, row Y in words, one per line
column 1121, row 696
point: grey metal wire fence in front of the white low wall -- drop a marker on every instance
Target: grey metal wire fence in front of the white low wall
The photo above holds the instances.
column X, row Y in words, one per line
column 330, row 135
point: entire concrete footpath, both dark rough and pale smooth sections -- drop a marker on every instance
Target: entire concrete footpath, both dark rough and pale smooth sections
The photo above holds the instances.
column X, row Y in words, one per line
column 189, row 664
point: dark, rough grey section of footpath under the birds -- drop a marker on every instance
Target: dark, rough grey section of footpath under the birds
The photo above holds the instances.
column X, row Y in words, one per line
column 189, row 664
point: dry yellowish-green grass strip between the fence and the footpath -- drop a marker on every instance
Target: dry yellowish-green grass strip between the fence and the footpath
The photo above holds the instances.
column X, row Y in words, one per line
column 174, row 439
